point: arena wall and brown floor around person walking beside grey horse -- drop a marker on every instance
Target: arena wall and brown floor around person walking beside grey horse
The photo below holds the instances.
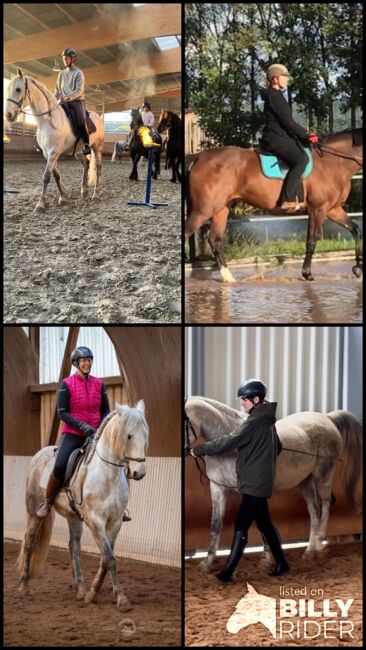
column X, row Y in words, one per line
column 285, row 358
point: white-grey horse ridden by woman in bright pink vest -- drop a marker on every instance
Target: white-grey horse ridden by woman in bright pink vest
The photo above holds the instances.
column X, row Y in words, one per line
column 101, row 487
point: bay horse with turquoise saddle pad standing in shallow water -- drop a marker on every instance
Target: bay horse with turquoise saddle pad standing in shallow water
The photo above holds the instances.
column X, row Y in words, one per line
column 216, row 178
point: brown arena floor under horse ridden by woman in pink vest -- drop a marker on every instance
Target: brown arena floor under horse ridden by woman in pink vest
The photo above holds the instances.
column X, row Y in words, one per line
column 51, row 616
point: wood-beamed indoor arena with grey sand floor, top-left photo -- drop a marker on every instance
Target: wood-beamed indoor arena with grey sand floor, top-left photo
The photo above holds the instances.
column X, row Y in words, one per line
column 93, row 261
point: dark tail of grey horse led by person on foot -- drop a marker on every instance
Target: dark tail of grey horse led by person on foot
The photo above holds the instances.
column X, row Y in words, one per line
column 351, row 430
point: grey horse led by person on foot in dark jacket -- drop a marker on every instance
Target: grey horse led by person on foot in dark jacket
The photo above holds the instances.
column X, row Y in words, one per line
column 312, row 443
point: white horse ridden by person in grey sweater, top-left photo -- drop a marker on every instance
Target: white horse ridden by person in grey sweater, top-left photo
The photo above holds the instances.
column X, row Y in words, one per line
column 54, row 135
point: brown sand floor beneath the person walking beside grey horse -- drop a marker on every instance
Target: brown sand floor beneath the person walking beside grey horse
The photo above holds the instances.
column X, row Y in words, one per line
column 209, row 604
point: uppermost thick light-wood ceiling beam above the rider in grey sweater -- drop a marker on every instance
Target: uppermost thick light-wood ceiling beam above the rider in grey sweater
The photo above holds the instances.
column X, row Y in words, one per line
column 135, row 23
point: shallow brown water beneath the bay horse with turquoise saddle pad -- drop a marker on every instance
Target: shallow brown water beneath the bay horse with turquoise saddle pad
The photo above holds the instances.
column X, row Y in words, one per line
column 275, row 295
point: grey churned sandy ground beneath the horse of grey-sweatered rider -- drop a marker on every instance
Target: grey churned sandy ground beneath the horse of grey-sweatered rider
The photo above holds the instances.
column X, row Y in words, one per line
column 87, row 262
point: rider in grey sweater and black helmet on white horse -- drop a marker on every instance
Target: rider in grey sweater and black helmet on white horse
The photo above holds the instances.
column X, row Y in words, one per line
column 70, row 88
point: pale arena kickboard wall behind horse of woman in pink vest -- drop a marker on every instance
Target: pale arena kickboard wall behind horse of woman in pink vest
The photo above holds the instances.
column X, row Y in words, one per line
column 153, row 535
